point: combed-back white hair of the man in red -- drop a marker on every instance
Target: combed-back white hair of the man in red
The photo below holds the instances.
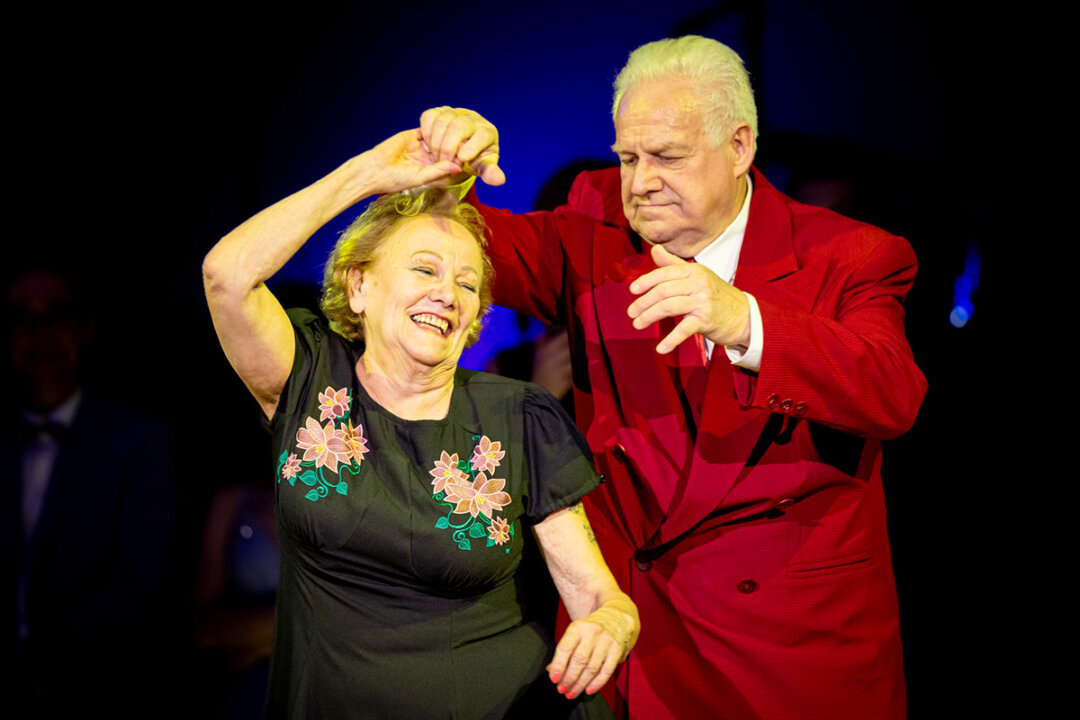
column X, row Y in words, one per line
column 719, row 77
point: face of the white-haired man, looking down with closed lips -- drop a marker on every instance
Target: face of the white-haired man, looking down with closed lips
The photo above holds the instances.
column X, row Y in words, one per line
column 678, row 189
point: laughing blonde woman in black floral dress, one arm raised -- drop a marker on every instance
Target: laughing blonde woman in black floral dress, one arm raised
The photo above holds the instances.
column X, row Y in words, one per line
column 404, row 483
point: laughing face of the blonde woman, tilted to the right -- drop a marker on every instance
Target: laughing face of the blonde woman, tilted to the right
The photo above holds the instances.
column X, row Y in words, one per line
column 421, row 296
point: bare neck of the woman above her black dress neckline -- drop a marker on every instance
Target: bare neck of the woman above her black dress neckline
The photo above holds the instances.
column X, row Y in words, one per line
column 415, row 393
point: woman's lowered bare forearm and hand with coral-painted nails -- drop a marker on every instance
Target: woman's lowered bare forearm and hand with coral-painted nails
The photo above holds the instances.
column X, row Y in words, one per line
column 605, row 622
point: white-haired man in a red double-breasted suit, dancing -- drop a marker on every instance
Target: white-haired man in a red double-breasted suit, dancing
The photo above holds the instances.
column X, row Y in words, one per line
column 738, row 358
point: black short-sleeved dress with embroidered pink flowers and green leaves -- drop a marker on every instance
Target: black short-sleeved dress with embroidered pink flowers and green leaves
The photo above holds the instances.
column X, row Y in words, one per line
column 401, row 542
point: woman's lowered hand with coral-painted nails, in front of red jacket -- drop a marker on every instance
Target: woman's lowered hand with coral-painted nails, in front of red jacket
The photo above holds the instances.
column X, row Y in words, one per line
column 587, row 656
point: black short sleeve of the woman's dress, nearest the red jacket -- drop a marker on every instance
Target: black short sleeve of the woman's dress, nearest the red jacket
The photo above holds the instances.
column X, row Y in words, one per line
column 561, row 466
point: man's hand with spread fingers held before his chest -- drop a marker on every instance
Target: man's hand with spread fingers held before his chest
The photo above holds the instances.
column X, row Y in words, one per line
column 707, row 305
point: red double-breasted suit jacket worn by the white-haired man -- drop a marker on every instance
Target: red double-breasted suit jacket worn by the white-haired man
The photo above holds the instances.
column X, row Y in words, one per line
column 744, row 512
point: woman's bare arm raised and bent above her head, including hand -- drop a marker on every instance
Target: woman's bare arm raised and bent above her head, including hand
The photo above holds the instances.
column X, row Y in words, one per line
column 251, row 324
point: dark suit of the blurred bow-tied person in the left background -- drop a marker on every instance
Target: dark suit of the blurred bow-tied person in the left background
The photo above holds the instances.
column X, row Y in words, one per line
column 102, row 632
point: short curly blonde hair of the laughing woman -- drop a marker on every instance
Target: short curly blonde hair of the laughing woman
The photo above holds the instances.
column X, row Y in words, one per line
column 359, row 246
